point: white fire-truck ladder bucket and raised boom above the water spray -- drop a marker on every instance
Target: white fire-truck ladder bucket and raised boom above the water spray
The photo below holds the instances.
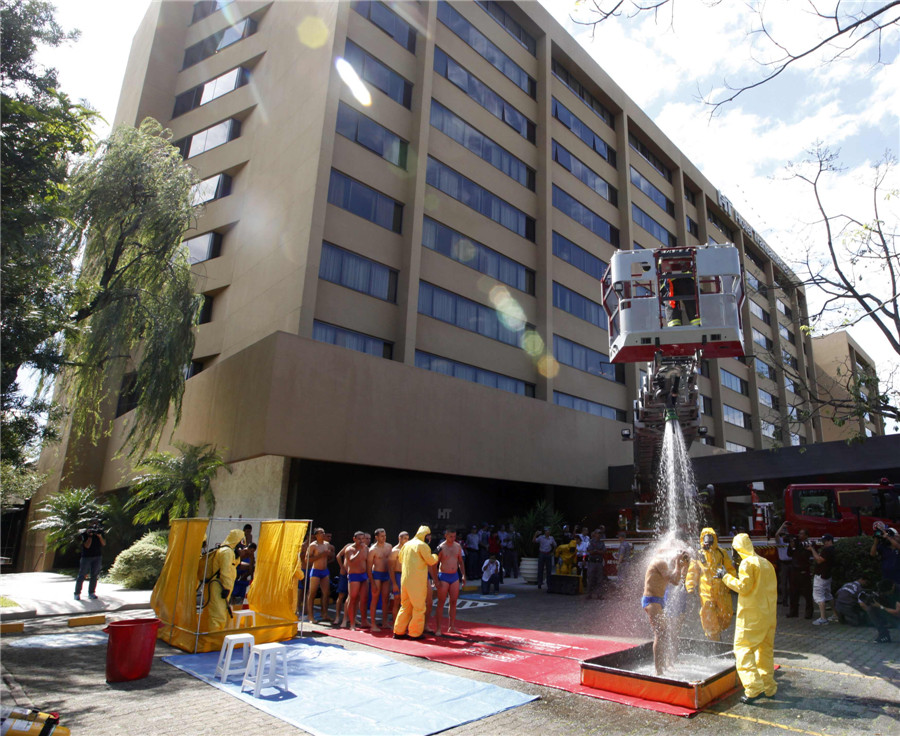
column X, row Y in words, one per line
column 643, row 291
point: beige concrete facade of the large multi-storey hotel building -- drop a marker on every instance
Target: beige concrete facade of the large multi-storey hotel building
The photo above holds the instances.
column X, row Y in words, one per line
column 270, row 395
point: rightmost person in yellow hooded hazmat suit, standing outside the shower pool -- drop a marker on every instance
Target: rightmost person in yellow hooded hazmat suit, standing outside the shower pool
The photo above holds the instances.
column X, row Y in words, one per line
column 754, row 633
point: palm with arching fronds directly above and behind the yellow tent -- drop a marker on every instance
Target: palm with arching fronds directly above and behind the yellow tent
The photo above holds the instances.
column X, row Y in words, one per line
column 174, row 485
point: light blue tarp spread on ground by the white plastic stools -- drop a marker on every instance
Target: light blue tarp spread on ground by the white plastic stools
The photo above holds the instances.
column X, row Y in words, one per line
column 336, row 692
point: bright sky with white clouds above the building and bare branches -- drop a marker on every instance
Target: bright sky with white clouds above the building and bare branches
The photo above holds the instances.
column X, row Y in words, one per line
column 666, row 63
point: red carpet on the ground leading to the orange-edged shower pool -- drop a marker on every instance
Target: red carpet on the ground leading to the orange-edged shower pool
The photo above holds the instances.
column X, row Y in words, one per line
column 538, row 657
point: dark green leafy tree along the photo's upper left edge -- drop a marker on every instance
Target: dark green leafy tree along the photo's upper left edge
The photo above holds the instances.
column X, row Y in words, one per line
column 40, row 130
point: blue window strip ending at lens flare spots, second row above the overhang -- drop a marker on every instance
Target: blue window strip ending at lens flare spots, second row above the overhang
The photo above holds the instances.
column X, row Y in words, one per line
column 468, row 315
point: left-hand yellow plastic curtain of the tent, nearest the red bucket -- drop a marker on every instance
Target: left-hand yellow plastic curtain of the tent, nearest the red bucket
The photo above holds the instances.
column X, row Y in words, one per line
column 174, row 595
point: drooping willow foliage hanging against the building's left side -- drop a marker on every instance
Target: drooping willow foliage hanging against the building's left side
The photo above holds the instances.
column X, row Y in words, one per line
column 135, row 305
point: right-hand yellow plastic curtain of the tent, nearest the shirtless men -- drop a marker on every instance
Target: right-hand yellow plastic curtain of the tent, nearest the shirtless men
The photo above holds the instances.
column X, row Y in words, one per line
column 274, row 588
